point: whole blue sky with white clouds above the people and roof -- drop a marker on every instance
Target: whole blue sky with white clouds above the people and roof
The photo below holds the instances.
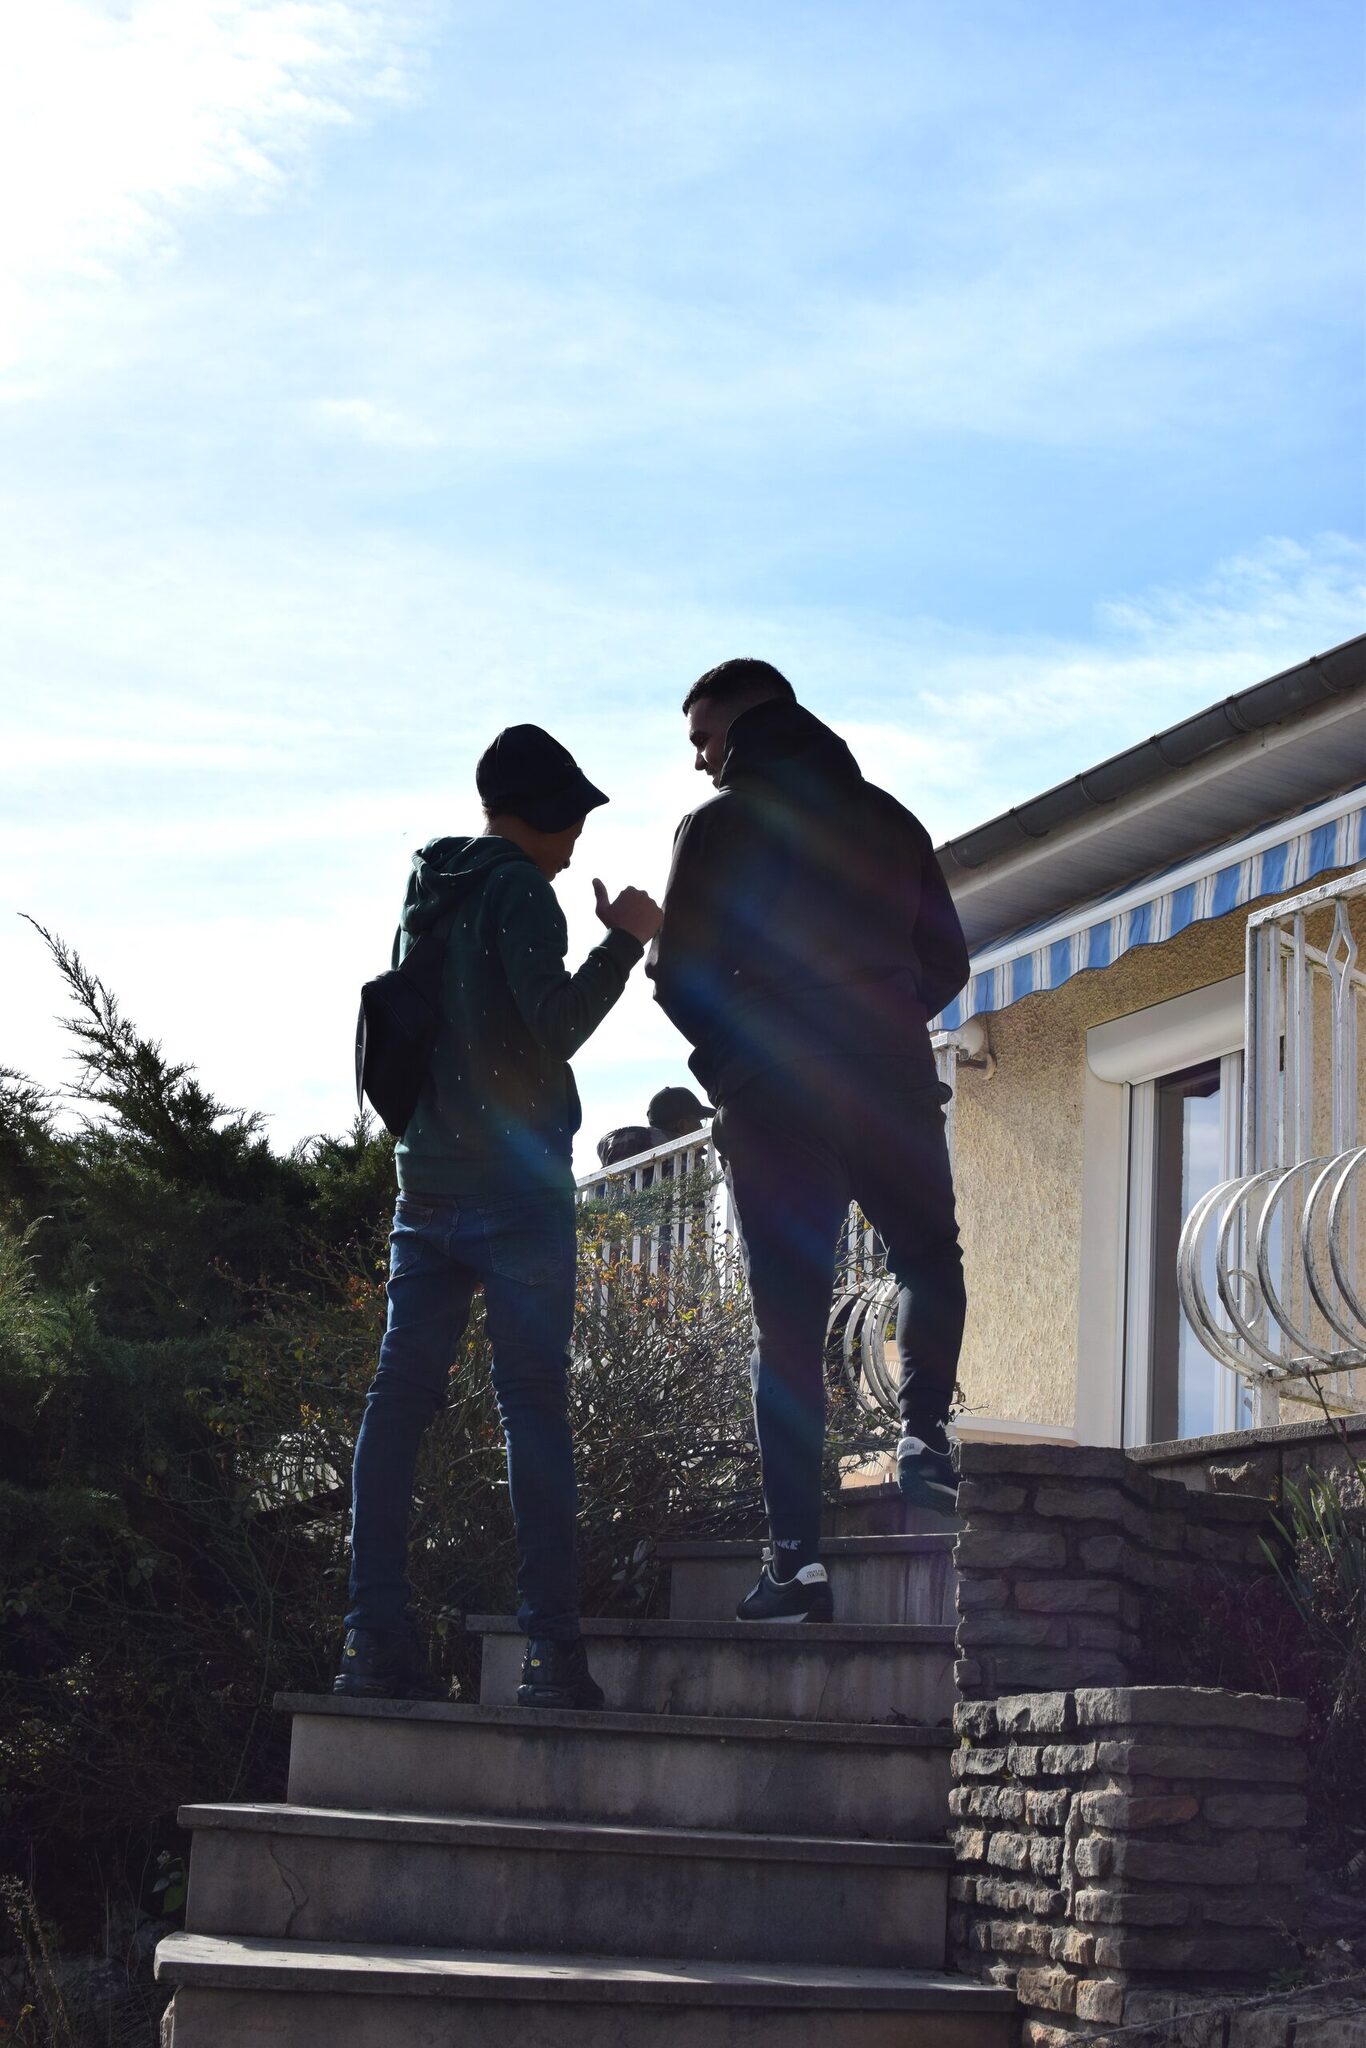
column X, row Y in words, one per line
column 376, row 376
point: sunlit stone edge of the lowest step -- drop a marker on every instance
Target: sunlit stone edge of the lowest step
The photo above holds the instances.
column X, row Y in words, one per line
column 255, row 1963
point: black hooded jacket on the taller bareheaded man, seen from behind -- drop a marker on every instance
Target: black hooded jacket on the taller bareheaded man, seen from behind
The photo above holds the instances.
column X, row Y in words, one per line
column 806, row 912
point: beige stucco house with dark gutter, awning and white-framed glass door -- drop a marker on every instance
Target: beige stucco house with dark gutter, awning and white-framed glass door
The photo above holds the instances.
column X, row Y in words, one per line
column 1103, row 1070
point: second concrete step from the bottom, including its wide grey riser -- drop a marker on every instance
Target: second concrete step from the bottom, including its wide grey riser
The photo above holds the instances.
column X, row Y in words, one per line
column 323, row 1875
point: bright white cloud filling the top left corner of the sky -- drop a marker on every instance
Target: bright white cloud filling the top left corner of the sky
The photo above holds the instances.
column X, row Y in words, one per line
column 118, row 122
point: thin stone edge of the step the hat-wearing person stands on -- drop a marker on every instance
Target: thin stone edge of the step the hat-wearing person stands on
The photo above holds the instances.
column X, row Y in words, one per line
column 566, row 1721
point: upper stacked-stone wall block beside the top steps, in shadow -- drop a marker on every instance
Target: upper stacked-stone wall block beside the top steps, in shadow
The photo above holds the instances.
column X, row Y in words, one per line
column 1058, row 1553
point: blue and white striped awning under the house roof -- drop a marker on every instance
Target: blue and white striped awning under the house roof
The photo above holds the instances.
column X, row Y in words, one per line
column 1267, row 863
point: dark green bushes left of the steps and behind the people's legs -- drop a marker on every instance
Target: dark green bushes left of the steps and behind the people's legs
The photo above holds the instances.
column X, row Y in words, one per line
column 187, row 1330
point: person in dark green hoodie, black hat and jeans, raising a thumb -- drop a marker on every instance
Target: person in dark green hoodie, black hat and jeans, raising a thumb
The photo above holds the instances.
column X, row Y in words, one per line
column 486, row 1199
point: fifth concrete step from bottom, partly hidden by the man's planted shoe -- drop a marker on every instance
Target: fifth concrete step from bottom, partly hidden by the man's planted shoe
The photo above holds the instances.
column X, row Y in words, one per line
column 873, row 1578
